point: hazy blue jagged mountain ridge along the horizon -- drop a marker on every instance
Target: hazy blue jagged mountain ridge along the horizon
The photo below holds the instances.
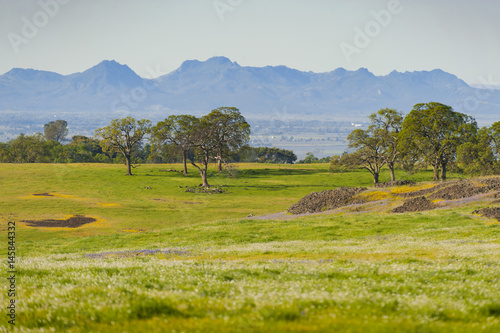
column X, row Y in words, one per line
column 199, row 86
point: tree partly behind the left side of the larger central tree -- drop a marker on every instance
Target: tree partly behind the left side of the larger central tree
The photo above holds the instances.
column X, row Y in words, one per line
column 176, row 131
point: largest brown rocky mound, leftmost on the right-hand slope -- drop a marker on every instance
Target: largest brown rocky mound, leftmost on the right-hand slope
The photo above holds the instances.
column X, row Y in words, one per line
column 316, row 202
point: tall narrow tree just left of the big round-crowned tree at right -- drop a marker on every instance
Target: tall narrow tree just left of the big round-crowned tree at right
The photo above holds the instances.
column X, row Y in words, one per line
column 386, row 124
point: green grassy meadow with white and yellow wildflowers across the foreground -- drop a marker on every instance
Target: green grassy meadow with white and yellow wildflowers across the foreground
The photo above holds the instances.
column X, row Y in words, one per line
column 159, row 259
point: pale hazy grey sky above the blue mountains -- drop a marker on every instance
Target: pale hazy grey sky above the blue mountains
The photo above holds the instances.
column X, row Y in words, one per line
column 154, row 37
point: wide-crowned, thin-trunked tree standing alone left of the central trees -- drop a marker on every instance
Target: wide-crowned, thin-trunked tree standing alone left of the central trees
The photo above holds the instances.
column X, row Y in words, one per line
column 123, row 135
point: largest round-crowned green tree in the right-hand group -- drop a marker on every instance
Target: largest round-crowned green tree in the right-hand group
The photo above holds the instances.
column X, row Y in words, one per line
column 433, row 132
